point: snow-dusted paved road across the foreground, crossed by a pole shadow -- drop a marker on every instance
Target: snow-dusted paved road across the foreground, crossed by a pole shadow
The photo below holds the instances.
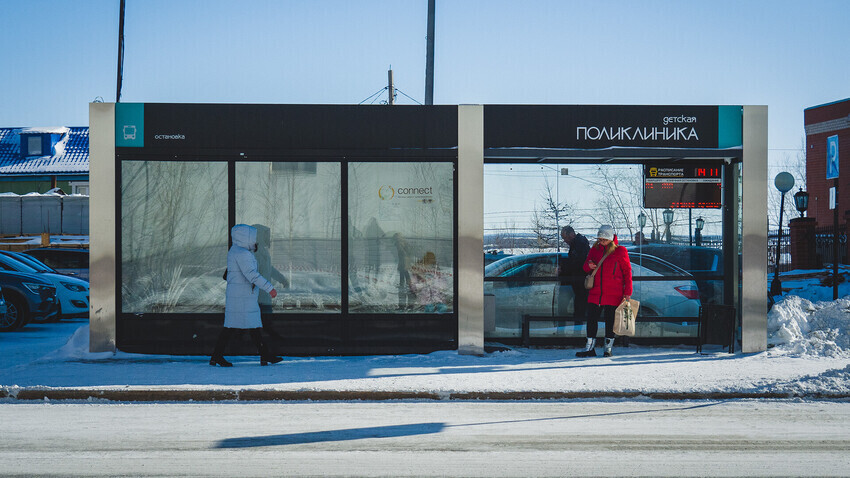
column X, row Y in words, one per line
column 585, row 438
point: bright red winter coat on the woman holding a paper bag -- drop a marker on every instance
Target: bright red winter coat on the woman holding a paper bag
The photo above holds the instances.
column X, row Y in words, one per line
column 613, row 280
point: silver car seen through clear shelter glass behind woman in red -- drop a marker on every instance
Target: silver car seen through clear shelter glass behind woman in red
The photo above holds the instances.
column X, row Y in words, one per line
column 534, row 292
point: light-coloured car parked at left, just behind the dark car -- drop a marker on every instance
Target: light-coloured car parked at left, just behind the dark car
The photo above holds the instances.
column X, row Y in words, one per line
column 72, row 292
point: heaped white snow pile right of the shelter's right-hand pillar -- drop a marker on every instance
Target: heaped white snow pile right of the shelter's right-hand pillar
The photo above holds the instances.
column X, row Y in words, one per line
column 798, row 327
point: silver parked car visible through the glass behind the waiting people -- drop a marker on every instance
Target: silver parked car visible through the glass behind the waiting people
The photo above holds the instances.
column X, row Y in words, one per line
column 678, row 298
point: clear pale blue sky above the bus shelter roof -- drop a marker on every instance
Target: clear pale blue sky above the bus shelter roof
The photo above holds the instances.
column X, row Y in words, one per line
column 789, row 55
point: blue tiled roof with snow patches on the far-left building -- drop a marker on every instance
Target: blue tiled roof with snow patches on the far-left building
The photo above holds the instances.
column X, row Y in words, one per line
column 71, row 152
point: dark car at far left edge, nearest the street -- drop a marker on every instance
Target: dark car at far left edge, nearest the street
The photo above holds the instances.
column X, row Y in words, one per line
column 27, row 296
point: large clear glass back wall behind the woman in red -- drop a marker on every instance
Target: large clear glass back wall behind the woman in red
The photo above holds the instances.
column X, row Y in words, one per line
column 676, row 266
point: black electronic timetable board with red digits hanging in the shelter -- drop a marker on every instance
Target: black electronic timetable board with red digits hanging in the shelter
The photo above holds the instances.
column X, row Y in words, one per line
column 688, row 186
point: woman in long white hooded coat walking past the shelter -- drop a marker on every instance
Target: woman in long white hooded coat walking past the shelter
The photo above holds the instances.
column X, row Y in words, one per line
column 241, row 309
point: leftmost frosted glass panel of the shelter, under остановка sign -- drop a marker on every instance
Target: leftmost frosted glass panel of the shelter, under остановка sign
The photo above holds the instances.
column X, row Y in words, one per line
column 173, row 236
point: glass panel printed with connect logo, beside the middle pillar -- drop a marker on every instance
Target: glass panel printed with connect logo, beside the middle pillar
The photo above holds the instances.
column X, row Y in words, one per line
column 401, row 251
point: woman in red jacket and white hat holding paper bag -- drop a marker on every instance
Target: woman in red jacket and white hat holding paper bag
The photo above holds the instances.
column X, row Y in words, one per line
column 612, row 284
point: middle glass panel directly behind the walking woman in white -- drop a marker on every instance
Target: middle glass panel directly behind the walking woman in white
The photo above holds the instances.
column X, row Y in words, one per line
column 296, row 208
